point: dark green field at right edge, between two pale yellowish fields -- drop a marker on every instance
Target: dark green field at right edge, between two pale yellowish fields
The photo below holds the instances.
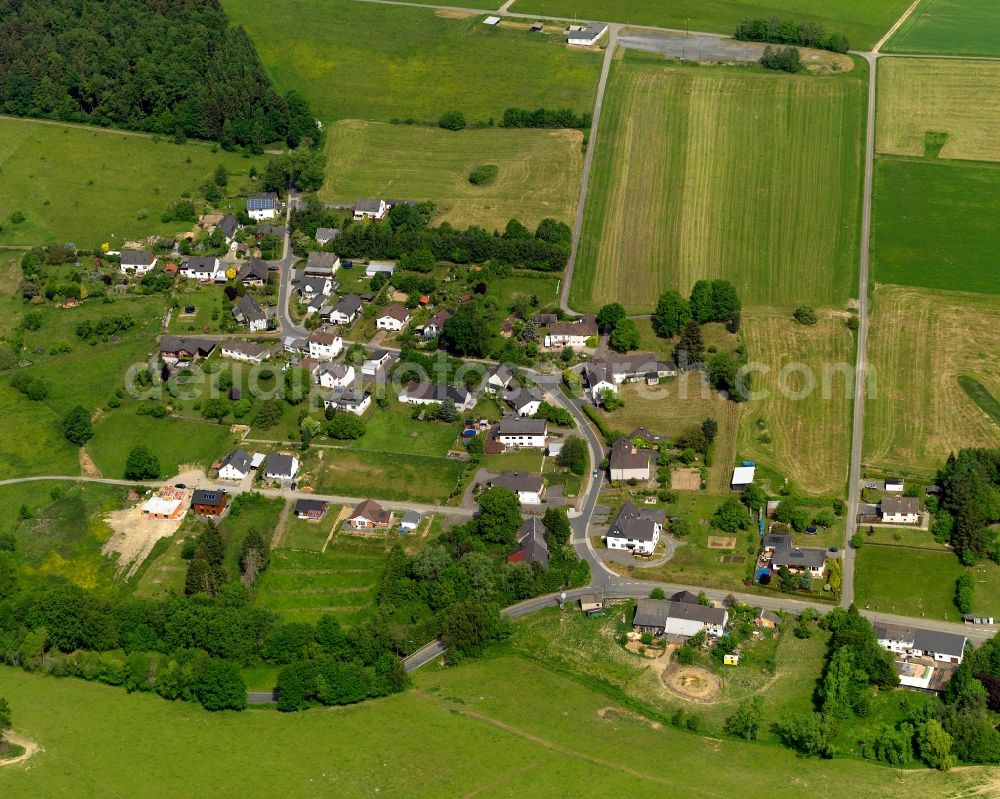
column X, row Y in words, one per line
column 934, row 224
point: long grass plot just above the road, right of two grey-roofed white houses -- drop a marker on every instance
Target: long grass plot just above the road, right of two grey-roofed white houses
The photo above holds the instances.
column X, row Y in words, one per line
column 384, row 475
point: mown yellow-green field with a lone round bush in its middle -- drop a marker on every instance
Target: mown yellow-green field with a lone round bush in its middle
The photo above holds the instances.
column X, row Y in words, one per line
column 538, row 177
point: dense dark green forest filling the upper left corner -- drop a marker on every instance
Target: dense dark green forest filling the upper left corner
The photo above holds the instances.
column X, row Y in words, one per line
column 174, row 67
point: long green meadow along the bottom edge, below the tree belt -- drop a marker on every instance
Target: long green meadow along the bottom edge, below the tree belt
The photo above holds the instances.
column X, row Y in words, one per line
column 454, row 737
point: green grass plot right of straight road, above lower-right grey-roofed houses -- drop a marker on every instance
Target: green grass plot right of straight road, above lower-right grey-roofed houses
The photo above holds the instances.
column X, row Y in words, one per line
column 921, row 582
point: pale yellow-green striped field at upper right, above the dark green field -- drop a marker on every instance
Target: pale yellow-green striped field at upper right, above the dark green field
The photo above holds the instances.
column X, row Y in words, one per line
column 918, row 96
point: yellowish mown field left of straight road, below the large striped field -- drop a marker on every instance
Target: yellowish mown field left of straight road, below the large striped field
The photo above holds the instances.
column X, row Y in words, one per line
column 801, row 428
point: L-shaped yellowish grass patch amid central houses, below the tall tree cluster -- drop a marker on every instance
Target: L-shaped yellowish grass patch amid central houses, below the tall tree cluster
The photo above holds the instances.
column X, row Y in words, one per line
column 674, row 407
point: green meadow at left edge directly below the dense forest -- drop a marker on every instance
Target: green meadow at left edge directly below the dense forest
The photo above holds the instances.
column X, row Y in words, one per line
column 91, row 185
